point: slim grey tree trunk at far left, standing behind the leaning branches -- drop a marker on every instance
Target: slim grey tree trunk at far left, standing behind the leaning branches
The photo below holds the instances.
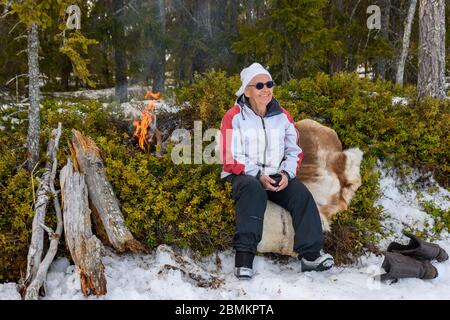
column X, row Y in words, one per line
column 34, row 122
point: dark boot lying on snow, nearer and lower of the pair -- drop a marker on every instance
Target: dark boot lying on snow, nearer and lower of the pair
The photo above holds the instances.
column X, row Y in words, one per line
column 399, row 266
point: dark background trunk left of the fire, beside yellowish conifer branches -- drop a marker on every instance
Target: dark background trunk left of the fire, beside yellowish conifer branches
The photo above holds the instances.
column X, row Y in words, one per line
column 119, row 51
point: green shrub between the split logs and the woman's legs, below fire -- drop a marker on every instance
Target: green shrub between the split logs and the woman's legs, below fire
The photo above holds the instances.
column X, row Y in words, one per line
column 184, row 205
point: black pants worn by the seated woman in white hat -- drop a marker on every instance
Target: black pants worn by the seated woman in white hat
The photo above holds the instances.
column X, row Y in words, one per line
column 251, row 199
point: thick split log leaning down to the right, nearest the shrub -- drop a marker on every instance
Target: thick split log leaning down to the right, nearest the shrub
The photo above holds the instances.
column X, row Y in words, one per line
column 101, row 195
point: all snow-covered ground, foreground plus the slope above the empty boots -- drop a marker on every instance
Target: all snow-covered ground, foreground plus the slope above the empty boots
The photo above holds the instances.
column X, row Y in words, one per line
column 160, row 275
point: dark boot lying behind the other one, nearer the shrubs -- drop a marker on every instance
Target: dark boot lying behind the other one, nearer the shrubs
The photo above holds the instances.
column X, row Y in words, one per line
column 419, row 249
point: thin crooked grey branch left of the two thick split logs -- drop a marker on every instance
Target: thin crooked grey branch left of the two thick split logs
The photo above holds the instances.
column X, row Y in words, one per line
column 32, row 291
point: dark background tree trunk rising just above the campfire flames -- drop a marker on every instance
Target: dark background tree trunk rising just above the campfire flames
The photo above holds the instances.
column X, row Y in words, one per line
column 160, row 65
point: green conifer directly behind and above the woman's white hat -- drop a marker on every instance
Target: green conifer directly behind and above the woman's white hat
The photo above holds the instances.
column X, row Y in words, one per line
column 291, row 38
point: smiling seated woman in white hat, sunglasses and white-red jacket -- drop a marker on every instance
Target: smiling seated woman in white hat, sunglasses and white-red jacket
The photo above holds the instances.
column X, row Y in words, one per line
column 261, row 157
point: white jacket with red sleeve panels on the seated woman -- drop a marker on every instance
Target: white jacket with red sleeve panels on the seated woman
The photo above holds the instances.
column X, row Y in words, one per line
column 255, row 145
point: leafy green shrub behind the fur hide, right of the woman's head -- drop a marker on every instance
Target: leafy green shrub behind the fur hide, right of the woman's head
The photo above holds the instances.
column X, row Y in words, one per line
column 362, row 114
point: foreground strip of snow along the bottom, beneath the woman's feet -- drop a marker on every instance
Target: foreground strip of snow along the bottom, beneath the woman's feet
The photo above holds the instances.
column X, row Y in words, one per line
column 144, row 277
